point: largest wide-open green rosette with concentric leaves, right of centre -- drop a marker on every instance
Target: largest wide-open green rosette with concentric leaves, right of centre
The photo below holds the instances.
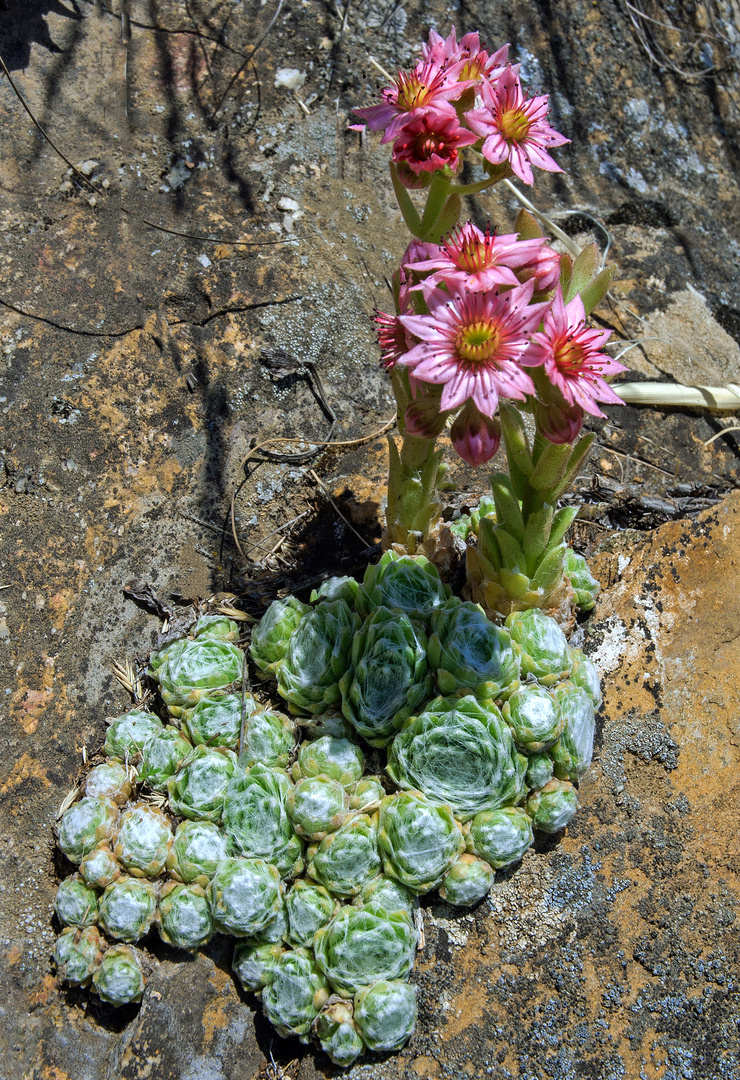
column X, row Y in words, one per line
column 462, row 753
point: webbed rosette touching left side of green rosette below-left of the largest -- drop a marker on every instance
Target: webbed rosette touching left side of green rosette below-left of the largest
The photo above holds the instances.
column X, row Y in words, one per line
column 347, row 860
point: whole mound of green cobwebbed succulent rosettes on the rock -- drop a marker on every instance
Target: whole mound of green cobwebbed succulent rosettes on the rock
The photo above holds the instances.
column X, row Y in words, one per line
column 218, row 818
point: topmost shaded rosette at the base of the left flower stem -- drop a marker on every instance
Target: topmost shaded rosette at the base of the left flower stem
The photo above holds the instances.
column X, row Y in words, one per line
column 405, row 584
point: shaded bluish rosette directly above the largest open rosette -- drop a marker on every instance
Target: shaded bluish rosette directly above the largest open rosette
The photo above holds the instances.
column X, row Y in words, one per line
column 470, row 654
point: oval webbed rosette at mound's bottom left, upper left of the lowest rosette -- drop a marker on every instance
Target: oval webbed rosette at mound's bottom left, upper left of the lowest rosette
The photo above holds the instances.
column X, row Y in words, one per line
column 295, row 995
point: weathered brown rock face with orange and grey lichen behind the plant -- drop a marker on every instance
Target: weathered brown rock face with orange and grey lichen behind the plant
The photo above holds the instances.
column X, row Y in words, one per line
column 132, row 389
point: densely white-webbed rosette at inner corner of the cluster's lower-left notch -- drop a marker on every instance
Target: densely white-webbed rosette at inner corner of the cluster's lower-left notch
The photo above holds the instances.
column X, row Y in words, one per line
column 246, row 896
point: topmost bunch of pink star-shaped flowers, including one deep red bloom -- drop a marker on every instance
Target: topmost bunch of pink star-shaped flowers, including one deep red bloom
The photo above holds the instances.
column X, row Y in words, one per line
column 461, row 96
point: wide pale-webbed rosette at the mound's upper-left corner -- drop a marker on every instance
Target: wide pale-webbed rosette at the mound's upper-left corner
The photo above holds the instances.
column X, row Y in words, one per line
column 198, row 669
